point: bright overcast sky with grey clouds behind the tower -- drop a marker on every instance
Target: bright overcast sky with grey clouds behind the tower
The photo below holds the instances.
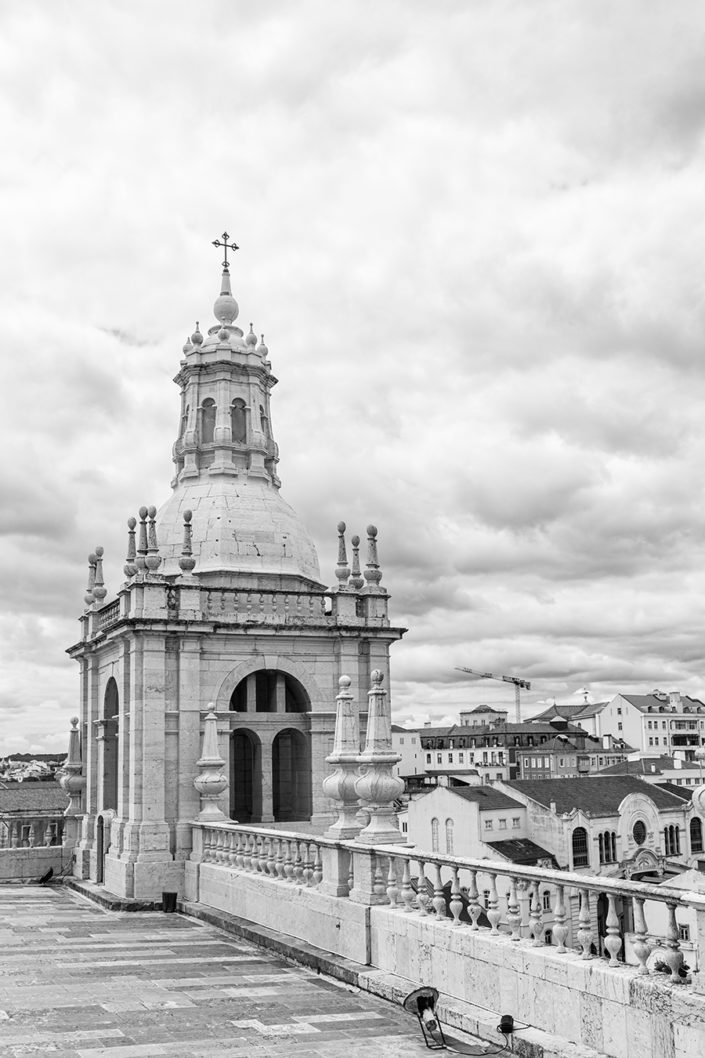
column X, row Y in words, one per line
column 474, row 234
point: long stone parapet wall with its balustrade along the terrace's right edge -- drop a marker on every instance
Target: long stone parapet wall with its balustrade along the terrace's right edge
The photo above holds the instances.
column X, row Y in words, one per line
column 478, row 929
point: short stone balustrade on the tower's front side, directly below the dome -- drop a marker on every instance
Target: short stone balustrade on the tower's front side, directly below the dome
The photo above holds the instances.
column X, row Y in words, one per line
column 277, row 607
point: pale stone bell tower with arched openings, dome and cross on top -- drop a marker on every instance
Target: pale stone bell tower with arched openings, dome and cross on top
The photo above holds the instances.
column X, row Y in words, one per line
column 223, row 611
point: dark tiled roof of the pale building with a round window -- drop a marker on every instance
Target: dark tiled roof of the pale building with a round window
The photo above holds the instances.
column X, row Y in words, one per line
column 599, row 795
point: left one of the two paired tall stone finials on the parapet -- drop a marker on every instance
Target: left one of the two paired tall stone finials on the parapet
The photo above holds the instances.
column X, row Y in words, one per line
column 340, row 785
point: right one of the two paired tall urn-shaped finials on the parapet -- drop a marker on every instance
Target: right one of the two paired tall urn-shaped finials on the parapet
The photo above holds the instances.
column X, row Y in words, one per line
column 377, row 787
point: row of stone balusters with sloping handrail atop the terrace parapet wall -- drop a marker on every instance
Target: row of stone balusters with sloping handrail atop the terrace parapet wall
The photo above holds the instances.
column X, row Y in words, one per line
column 495, row 898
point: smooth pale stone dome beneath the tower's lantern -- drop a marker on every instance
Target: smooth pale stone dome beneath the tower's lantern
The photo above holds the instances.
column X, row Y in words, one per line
column 240, row 526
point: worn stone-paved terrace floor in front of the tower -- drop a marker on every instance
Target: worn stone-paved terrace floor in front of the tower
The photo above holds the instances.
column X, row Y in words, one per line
column 79, row 981
